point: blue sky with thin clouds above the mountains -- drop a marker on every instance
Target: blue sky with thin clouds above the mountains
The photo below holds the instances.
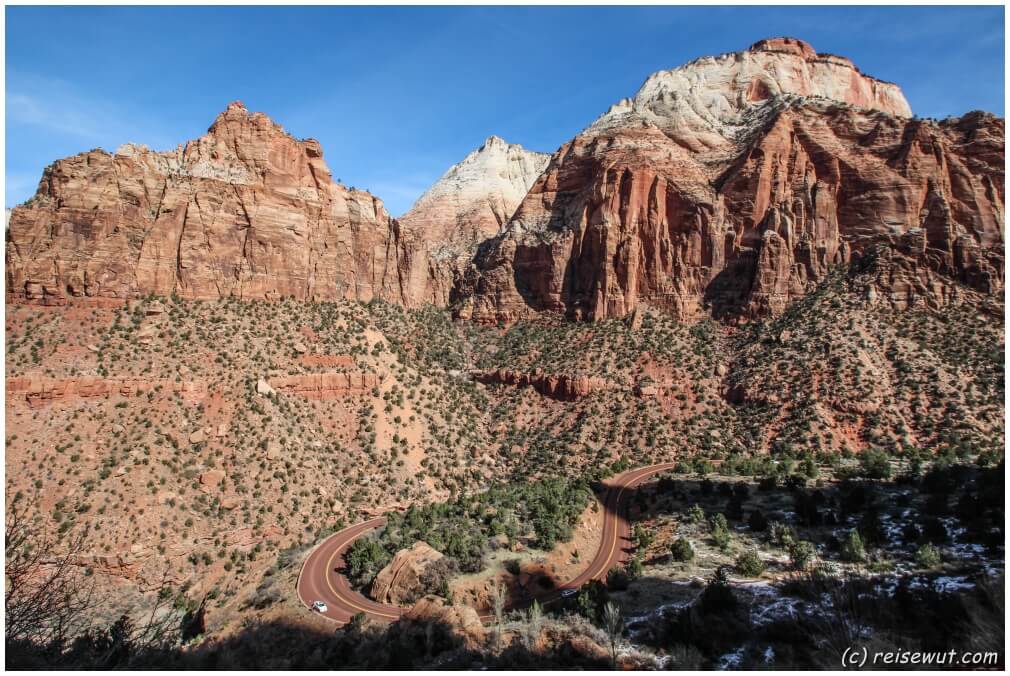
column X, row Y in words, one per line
column 397, row 95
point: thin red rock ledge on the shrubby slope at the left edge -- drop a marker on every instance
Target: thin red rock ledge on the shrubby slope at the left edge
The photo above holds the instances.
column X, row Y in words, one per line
column 40, row 392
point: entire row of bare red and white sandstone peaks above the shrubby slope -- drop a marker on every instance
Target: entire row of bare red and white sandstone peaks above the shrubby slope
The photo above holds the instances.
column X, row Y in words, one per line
column 729, row 187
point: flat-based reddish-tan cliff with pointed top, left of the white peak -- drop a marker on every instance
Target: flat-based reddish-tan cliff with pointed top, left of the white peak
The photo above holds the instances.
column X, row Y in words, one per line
column 246, row 212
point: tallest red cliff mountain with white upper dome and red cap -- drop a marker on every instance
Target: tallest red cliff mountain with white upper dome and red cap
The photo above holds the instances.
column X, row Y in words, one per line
column 698, row 197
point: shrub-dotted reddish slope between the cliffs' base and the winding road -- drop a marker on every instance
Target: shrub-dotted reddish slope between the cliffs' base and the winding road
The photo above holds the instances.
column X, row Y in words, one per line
column 176, row 464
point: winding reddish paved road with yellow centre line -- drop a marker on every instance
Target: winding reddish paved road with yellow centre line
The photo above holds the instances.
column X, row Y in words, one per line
column 321, row 578
